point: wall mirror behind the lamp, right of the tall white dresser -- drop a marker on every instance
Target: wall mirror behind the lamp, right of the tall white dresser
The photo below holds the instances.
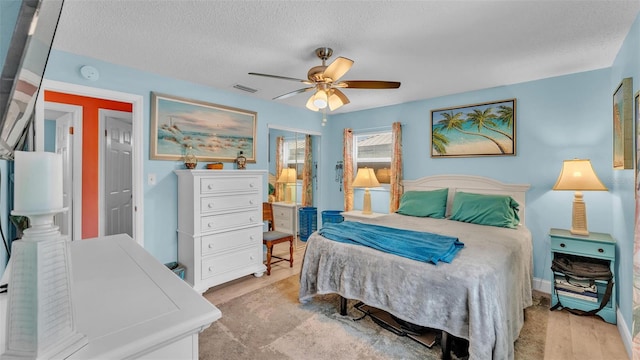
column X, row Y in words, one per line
column 294, row 147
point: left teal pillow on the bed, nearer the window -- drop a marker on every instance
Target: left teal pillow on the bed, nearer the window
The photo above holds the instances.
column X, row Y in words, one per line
column 424, row 203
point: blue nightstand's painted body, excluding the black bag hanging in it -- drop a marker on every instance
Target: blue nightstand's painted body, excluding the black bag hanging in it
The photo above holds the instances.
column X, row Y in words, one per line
column 595, row 247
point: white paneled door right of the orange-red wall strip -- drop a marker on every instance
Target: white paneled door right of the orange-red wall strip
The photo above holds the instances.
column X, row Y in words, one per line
column 117, row 172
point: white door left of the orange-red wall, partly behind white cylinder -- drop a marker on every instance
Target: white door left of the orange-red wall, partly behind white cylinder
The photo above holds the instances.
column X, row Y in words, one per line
column 64, row 146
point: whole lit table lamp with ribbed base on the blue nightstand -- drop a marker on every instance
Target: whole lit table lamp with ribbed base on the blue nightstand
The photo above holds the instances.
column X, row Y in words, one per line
column 578, row 175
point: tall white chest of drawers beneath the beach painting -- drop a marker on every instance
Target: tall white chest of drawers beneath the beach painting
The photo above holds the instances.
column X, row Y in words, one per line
column 219, row 225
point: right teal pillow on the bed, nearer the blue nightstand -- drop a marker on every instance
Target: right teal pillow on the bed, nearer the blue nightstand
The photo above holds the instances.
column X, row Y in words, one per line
column 493, row 210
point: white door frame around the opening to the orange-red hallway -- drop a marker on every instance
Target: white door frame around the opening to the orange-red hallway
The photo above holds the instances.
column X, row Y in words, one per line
column 137, row 102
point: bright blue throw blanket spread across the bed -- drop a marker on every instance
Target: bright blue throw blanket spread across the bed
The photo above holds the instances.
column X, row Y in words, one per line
column 415, row 245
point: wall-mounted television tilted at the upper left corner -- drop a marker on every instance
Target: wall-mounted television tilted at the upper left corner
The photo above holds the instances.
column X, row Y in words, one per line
column 23, row 70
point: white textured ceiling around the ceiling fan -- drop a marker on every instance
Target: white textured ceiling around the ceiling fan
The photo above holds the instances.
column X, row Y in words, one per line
column 434, row 48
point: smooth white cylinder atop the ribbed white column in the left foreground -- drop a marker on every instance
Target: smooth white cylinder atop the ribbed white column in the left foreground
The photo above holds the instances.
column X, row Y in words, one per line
column 37, row 182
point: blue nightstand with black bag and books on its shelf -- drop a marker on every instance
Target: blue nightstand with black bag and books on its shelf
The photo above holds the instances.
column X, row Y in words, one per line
column 582, row 276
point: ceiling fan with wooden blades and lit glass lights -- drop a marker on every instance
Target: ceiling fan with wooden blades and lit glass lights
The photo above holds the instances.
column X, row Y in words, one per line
column 325, row 82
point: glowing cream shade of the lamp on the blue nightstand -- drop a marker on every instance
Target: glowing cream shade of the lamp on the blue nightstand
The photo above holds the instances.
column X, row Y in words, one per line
column 578, row 175
